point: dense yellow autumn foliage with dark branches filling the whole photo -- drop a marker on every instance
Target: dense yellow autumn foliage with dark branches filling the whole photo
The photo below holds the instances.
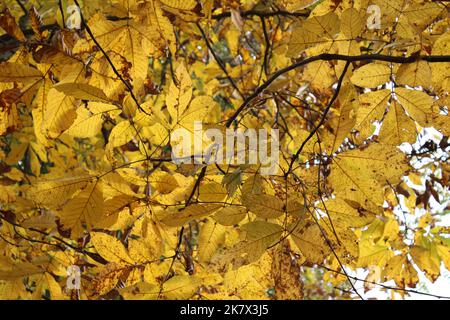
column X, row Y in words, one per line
column 90, row 92
